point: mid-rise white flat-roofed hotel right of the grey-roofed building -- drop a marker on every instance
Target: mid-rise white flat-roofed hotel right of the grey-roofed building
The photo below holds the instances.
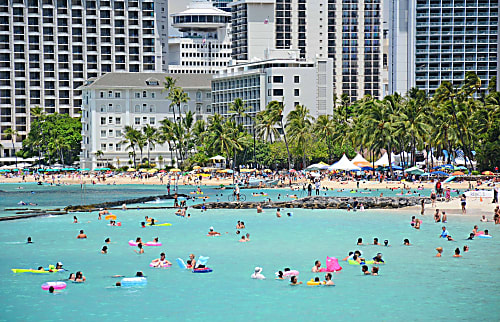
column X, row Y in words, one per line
column 291, row 81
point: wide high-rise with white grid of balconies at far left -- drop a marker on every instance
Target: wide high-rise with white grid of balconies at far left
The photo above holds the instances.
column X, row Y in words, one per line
column 48, row 48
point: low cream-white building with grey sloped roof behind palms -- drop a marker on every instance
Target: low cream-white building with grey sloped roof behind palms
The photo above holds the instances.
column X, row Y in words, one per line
column 115, row 100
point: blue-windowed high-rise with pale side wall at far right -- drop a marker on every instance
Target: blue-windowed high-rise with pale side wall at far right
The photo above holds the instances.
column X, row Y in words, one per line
column 435, row 41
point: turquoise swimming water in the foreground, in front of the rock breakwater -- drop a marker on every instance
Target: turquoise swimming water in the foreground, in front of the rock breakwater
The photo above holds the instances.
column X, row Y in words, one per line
column 412, row 284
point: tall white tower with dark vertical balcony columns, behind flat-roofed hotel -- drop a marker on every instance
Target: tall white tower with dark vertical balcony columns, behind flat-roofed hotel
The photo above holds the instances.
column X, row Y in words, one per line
column 348, row 31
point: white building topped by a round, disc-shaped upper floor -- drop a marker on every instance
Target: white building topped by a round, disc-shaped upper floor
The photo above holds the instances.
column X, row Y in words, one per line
column 202, row 44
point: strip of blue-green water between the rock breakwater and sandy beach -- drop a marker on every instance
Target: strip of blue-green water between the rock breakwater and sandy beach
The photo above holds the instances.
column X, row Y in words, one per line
column 50, row 197
